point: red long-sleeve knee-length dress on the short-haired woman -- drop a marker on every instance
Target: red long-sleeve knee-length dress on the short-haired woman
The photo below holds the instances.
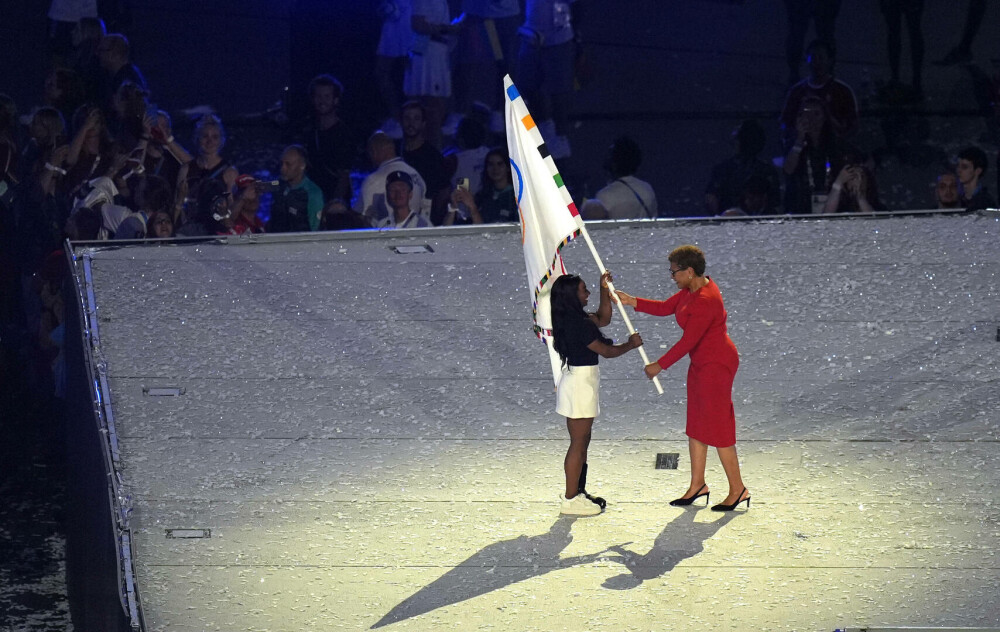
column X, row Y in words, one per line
column 711, row 418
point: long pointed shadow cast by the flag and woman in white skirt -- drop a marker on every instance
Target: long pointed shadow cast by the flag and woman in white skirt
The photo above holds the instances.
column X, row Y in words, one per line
column 496, row 566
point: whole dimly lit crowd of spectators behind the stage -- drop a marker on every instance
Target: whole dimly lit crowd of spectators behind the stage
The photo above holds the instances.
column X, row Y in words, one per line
column 97, row 159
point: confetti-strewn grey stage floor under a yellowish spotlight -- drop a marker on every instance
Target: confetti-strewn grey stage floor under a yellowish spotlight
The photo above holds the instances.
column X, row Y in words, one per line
column 368, row 437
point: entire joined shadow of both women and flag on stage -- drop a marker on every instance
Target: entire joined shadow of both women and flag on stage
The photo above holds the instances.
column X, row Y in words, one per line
column 511, row 561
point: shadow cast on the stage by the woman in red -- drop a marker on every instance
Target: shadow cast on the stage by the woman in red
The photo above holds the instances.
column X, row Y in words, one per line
column 680, row 539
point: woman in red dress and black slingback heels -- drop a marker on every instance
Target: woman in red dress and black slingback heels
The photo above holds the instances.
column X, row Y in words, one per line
column 711, row 419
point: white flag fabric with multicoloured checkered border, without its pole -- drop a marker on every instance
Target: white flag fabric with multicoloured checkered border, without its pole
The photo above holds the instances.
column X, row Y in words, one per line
column 549, row 218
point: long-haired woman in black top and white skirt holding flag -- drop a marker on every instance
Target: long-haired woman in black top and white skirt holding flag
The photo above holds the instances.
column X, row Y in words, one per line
column 578, row 340
